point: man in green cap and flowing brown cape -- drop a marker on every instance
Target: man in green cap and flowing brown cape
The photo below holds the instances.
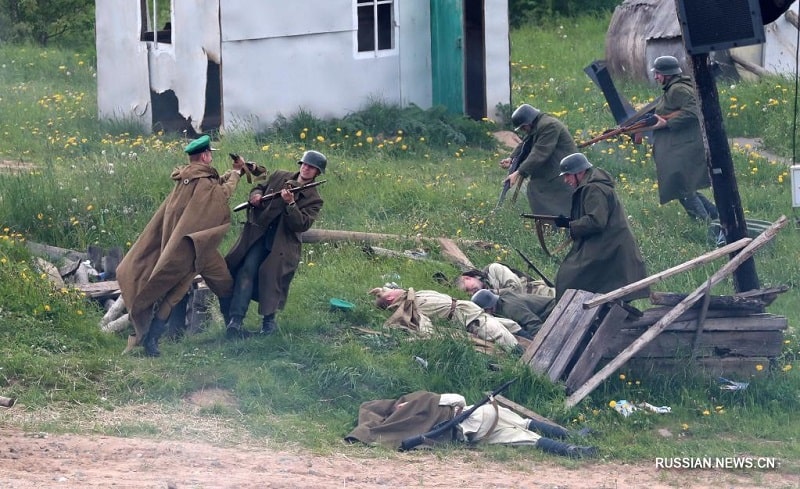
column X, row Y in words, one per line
column 179, row 243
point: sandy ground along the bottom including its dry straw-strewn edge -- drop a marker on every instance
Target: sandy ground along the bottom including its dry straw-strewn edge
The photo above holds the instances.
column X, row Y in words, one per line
column 190, row 449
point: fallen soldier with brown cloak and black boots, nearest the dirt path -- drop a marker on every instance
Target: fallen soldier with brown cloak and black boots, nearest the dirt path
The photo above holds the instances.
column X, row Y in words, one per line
column 388, row 422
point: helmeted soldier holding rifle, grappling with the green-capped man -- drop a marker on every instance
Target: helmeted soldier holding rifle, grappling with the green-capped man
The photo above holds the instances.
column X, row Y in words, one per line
column 264, row 259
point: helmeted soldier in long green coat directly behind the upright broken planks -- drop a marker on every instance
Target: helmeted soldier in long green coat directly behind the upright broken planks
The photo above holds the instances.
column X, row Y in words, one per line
column 604, row 254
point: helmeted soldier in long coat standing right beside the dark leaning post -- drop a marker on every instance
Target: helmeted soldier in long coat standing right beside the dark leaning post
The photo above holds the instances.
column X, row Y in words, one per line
column 678, row 149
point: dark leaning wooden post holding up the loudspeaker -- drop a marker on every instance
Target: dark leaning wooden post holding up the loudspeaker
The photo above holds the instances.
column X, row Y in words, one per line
column 720, row 166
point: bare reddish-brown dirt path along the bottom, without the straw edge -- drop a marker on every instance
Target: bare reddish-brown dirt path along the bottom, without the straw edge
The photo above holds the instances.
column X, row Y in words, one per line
column 37, row 460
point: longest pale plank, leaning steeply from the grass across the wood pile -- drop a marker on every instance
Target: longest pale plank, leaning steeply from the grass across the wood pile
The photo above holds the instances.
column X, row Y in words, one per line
column 656, row 329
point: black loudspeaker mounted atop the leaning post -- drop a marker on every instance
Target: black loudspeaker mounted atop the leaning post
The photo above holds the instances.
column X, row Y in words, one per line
column 712, row 25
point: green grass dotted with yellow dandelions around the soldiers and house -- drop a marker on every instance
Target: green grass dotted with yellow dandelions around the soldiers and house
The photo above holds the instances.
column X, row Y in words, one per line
column 423, row 177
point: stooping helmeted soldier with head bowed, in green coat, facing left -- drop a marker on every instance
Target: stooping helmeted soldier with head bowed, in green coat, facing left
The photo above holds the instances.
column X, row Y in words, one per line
column 546, row 141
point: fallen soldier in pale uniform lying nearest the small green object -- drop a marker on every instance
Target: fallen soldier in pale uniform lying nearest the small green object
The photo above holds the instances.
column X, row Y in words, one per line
column 415, row 308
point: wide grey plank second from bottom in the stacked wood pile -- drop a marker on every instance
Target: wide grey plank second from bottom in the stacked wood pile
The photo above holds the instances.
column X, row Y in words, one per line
column 671, row 344
